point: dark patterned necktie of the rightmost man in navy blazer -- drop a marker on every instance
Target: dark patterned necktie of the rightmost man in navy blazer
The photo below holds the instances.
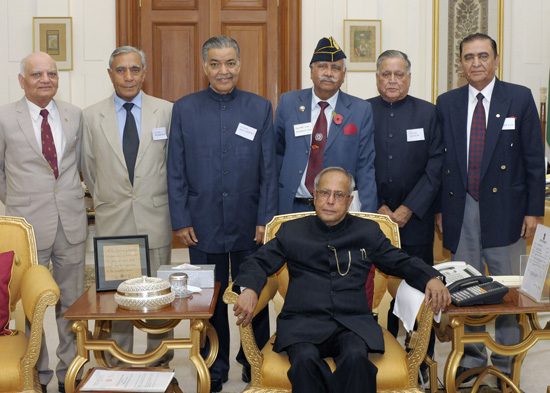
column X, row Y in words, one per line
column 477, row 142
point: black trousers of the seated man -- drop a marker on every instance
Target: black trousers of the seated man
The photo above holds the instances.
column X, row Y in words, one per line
column 354, row 372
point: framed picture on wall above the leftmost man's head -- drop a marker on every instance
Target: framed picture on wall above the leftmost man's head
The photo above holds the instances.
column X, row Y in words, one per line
column 54, row 36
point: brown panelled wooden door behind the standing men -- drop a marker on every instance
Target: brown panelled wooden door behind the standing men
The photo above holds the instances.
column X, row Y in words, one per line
column 172, row 32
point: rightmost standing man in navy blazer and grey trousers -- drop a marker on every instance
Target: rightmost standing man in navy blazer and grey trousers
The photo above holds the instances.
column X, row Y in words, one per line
column 486, row 219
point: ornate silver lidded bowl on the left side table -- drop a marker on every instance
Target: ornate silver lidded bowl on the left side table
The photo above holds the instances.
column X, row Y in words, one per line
column 144, row 293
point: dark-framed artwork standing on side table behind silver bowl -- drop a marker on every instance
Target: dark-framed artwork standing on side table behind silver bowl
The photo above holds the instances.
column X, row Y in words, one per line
column 120, row 258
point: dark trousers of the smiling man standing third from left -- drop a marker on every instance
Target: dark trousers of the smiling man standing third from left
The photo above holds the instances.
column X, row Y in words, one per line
column 219, row 321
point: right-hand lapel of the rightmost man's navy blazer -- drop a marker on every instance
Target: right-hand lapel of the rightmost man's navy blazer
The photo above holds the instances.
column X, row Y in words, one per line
column 500, row 103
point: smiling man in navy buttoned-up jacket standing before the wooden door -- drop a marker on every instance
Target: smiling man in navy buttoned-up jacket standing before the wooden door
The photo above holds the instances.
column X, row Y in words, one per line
column 222, row 182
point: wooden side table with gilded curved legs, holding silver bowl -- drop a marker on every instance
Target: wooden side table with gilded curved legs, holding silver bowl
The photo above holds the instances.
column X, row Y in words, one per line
column 102, row 308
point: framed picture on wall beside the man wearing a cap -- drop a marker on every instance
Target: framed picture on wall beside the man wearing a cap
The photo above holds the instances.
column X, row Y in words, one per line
column 362, row 43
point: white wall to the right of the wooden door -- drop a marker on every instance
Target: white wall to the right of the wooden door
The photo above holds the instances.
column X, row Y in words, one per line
column 407, row 26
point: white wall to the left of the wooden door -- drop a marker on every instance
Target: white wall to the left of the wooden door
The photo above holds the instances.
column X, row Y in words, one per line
column 93, row 41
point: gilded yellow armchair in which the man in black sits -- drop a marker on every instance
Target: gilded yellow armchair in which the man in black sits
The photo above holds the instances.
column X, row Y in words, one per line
column 397, row 368
